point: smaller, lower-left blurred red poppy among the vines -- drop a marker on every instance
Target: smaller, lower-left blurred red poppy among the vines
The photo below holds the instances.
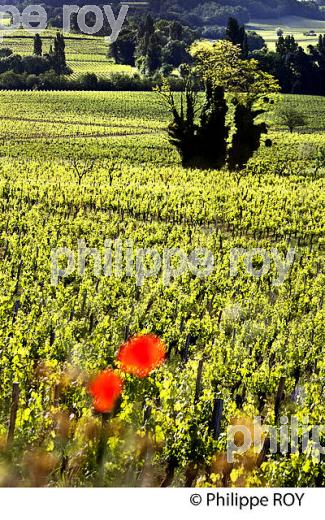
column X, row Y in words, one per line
column 105, row 389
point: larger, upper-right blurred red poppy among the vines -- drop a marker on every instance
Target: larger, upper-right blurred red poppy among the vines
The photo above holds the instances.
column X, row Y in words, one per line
column 141, row 355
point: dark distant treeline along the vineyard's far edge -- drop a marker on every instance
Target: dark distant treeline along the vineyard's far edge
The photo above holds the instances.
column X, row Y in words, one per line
column 157, row 49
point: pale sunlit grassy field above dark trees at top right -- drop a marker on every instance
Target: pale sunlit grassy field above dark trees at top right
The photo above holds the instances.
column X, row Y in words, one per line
column 291, row 25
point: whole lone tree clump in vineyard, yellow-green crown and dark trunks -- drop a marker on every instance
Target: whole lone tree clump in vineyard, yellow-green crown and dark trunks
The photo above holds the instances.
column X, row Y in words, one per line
column 200, row 134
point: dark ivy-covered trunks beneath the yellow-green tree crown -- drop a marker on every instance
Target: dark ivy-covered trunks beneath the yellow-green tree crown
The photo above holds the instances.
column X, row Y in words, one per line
column 200, row 135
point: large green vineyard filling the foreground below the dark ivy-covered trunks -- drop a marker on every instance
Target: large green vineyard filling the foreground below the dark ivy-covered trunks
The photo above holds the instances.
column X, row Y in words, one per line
column 98, row 167
